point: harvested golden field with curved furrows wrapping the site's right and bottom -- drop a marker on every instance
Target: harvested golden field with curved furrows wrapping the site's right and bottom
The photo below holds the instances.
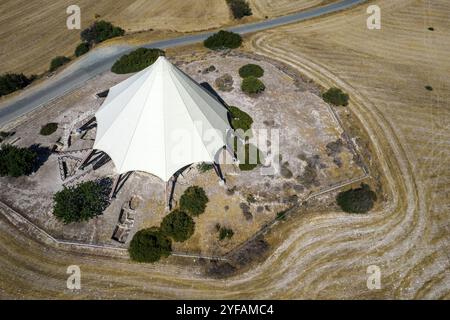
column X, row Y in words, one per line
column 320, row 255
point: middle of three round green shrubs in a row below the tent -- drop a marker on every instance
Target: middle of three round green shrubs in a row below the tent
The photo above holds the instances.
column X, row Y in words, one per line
column 178, row 225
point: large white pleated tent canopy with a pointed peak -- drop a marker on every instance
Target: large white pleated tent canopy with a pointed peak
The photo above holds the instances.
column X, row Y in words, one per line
column 159, row 121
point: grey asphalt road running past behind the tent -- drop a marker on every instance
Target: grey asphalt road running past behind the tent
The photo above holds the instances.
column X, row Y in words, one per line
column 97, row 62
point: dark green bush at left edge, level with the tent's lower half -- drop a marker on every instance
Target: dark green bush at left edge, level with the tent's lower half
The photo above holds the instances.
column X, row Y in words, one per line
column 16, row 161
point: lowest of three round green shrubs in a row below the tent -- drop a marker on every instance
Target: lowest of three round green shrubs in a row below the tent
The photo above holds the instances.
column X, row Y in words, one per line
column 149, row 245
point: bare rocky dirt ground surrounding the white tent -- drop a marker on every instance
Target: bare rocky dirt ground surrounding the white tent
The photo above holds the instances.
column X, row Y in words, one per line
column 248, row 201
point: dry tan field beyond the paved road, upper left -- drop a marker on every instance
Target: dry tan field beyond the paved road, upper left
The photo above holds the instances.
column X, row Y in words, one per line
column 34, row 32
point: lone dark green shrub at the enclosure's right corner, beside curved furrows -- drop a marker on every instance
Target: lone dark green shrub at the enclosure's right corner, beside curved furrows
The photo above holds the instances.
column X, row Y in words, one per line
column 360, row 200
